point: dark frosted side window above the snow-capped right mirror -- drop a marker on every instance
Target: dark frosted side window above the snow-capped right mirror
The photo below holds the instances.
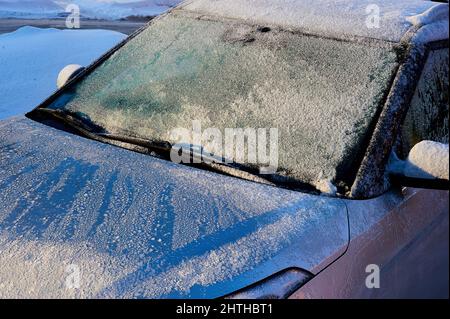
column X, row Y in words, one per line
column 427, row 118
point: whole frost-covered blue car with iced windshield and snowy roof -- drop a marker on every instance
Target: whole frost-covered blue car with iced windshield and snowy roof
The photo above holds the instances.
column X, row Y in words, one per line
column 102, row 194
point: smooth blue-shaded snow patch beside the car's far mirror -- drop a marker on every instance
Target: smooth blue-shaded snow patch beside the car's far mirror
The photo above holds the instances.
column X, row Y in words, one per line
column 31, row 58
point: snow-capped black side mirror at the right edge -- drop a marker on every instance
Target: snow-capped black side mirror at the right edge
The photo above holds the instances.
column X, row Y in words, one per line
column 427, row 166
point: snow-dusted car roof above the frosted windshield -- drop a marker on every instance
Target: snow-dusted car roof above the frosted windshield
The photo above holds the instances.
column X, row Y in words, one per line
column 333, row 18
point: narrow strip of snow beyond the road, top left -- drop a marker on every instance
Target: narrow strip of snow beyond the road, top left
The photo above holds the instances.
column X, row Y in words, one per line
column 98, row 9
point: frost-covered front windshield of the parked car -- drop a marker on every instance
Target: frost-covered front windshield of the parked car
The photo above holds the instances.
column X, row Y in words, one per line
column 322, row 95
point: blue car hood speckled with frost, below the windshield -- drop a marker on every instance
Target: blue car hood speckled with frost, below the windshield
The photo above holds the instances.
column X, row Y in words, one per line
column 79, row 218
